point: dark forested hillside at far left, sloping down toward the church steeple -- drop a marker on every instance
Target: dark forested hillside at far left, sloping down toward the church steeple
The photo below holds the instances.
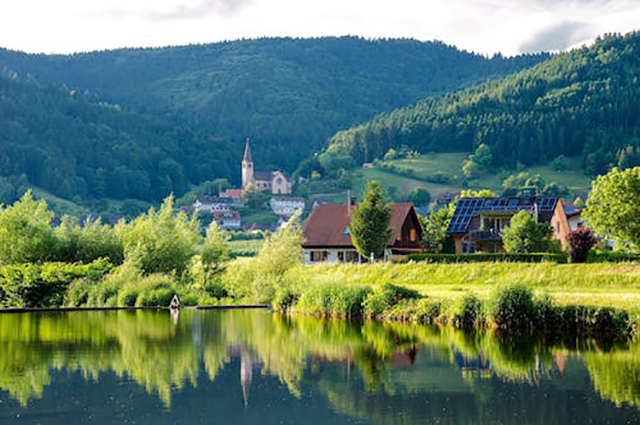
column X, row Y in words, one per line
column 76, row 148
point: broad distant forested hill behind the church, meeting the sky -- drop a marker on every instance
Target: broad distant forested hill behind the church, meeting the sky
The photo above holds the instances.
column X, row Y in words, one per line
column 289, row 95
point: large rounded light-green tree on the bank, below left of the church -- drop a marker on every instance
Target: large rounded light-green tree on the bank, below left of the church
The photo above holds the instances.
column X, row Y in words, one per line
column 160, row 241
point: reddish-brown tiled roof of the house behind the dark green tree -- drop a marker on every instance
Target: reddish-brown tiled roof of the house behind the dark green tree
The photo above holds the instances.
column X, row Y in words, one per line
column 327, row 223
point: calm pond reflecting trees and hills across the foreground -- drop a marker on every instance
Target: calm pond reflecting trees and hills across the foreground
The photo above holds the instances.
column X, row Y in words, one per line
column 253, row 367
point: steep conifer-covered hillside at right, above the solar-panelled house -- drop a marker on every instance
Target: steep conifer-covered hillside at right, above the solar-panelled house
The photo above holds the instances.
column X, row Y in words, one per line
column 583, row 102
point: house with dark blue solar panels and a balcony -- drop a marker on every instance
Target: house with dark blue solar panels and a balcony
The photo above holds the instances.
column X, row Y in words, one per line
column 477, row 223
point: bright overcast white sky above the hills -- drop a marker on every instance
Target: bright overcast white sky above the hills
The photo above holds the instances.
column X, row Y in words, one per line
column 487, row 26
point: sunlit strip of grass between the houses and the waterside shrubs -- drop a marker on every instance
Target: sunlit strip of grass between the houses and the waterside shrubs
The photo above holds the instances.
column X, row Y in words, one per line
column 603, row 284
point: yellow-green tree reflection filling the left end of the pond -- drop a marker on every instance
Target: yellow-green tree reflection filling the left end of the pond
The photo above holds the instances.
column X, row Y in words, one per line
column 143, row 345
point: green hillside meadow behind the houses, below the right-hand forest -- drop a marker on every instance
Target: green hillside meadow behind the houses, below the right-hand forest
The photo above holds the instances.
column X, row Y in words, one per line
column 451, row 165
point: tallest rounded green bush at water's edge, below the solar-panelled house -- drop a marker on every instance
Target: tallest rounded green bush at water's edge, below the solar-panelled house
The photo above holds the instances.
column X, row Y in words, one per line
column 513, row 307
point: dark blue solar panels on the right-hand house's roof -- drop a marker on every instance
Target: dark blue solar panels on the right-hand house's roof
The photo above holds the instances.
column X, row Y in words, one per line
column 469, row 207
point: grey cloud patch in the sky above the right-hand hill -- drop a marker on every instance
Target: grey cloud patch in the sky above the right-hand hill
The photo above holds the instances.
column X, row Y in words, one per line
column 558, row 36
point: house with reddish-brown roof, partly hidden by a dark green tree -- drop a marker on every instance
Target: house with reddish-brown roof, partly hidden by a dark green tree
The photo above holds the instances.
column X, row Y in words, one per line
column 328, row 240
